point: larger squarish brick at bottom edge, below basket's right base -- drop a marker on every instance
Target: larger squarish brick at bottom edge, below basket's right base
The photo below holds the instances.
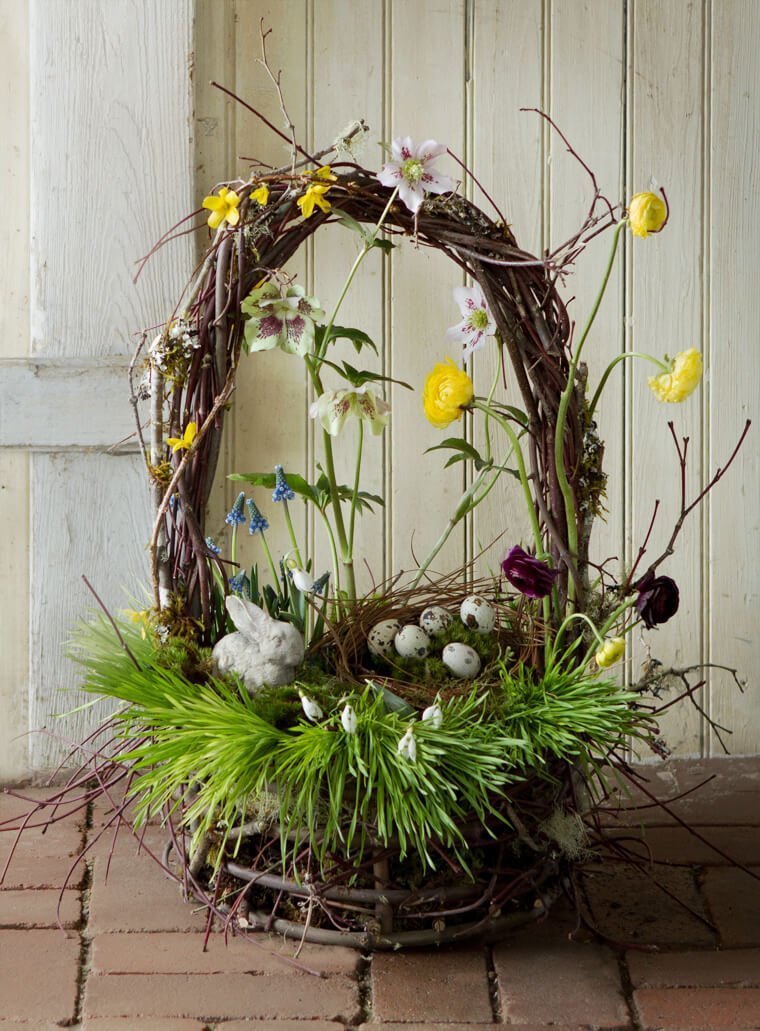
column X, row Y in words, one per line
column 571, row 983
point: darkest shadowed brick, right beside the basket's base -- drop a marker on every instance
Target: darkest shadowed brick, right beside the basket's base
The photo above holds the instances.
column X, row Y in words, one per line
column 627, row 906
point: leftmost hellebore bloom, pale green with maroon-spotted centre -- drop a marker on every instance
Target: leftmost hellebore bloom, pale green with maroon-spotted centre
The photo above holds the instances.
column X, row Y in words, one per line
column 281, row 321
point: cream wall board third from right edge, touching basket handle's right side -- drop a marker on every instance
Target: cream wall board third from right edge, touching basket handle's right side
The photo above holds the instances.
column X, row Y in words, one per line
column 587, row 105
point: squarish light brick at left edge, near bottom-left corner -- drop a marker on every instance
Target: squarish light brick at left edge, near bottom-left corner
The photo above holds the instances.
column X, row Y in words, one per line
column 39, row 976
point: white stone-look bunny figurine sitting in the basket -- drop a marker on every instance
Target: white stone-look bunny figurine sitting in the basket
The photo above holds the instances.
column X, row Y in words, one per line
column 263, row 651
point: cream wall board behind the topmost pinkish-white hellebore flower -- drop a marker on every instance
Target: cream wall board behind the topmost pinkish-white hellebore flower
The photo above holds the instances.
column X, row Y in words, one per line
column 427, row 103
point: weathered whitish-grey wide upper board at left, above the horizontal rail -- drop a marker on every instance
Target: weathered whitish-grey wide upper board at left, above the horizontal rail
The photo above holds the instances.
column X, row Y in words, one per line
column 110, row 125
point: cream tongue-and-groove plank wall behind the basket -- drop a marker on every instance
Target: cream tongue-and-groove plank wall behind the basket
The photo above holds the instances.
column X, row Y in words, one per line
column 650, row 94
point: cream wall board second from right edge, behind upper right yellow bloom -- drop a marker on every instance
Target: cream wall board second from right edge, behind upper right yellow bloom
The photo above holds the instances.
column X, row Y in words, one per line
column 668, row 281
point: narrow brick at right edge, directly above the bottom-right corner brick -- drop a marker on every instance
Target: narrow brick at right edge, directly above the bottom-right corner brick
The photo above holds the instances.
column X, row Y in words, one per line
column 738, row 969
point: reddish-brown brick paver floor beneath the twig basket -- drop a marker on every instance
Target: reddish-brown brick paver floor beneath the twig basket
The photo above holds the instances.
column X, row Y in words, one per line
column 119, row 949
